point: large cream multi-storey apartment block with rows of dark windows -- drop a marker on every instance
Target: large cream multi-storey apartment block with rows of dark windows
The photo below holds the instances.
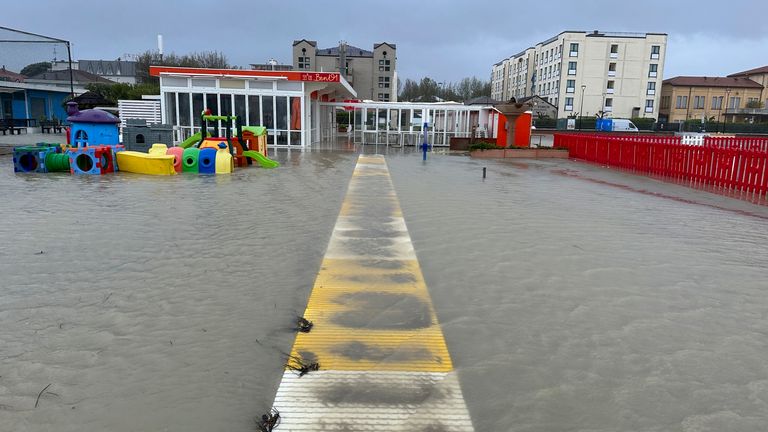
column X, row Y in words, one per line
column 588, row 73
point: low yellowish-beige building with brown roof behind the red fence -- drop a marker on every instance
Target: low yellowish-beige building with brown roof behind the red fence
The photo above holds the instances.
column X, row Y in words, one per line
column 734, row 98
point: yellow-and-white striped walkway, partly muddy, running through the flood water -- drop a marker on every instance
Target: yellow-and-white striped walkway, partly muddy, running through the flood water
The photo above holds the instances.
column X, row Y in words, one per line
column 383, row 362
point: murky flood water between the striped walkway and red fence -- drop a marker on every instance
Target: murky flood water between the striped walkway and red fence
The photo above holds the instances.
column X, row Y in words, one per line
column 571, row 305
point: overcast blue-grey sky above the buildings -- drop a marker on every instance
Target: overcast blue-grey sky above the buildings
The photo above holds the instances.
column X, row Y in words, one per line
column 446, row 40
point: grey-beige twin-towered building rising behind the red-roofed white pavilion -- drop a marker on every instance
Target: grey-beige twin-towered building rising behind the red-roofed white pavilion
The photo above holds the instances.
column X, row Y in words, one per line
column 373, row 74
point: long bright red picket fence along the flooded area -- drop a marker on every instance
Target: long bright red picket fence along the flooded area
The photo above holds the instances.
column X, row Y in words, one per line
column 732, row 166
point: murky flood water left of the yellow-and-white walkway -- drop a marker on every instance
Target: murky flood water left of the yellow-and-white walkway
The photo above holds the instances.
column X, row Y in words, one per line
column 158, row 303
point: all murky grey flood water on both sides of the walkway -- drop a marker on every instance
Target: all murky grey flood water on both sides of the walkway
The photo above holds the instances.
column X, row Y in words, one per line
column 571, row 298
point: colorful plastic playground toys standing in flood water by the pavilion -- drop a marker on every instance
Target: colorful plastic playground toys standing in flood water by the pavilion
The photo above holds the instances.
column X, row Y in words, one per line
column 93, row 147
